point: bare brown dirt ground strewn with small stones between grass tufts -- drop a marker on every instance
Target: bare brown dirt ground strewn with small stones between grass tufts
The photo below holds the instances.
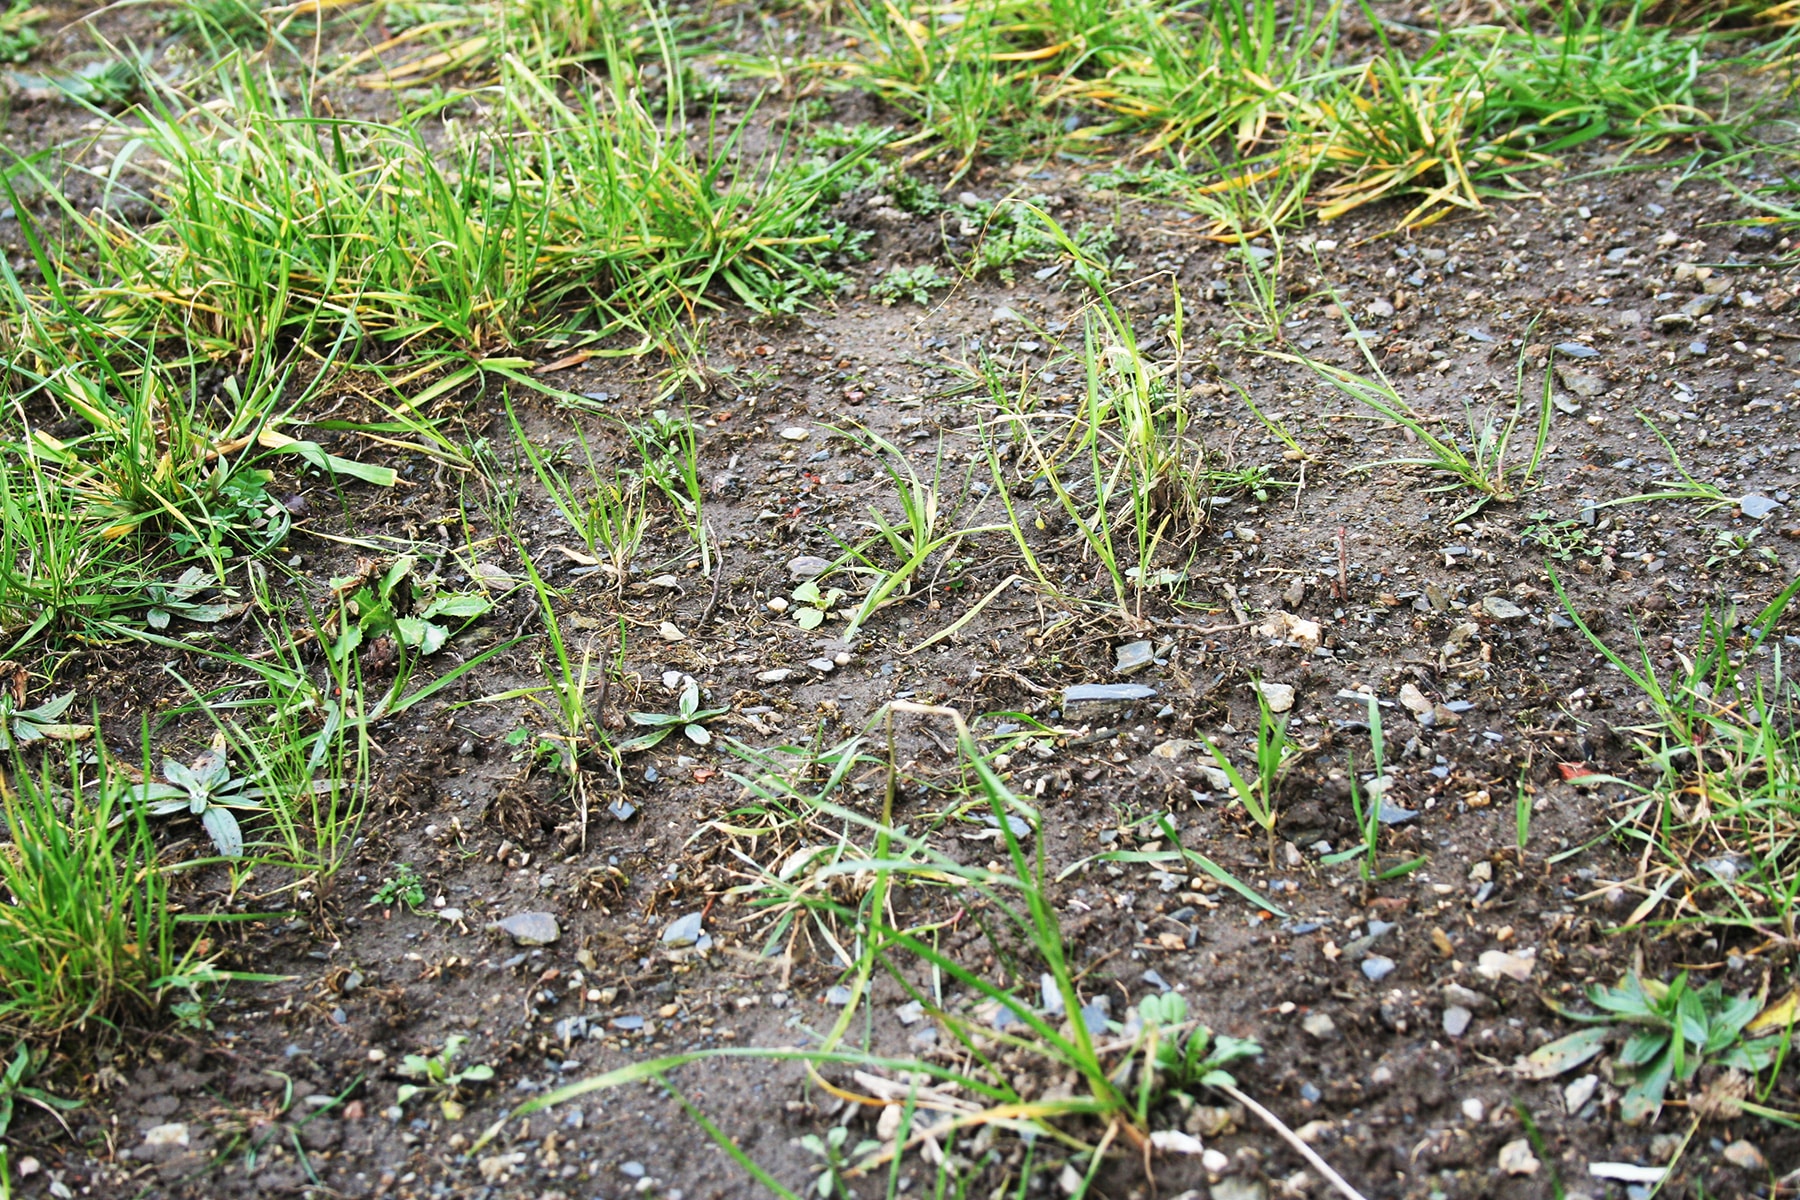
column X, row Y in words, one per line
column 1655, row 303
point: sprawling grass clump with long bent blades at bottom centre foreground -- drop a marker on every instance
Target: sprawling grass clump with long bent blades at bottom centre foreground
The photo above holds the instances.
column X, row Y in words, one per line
column 1122, row 1073
